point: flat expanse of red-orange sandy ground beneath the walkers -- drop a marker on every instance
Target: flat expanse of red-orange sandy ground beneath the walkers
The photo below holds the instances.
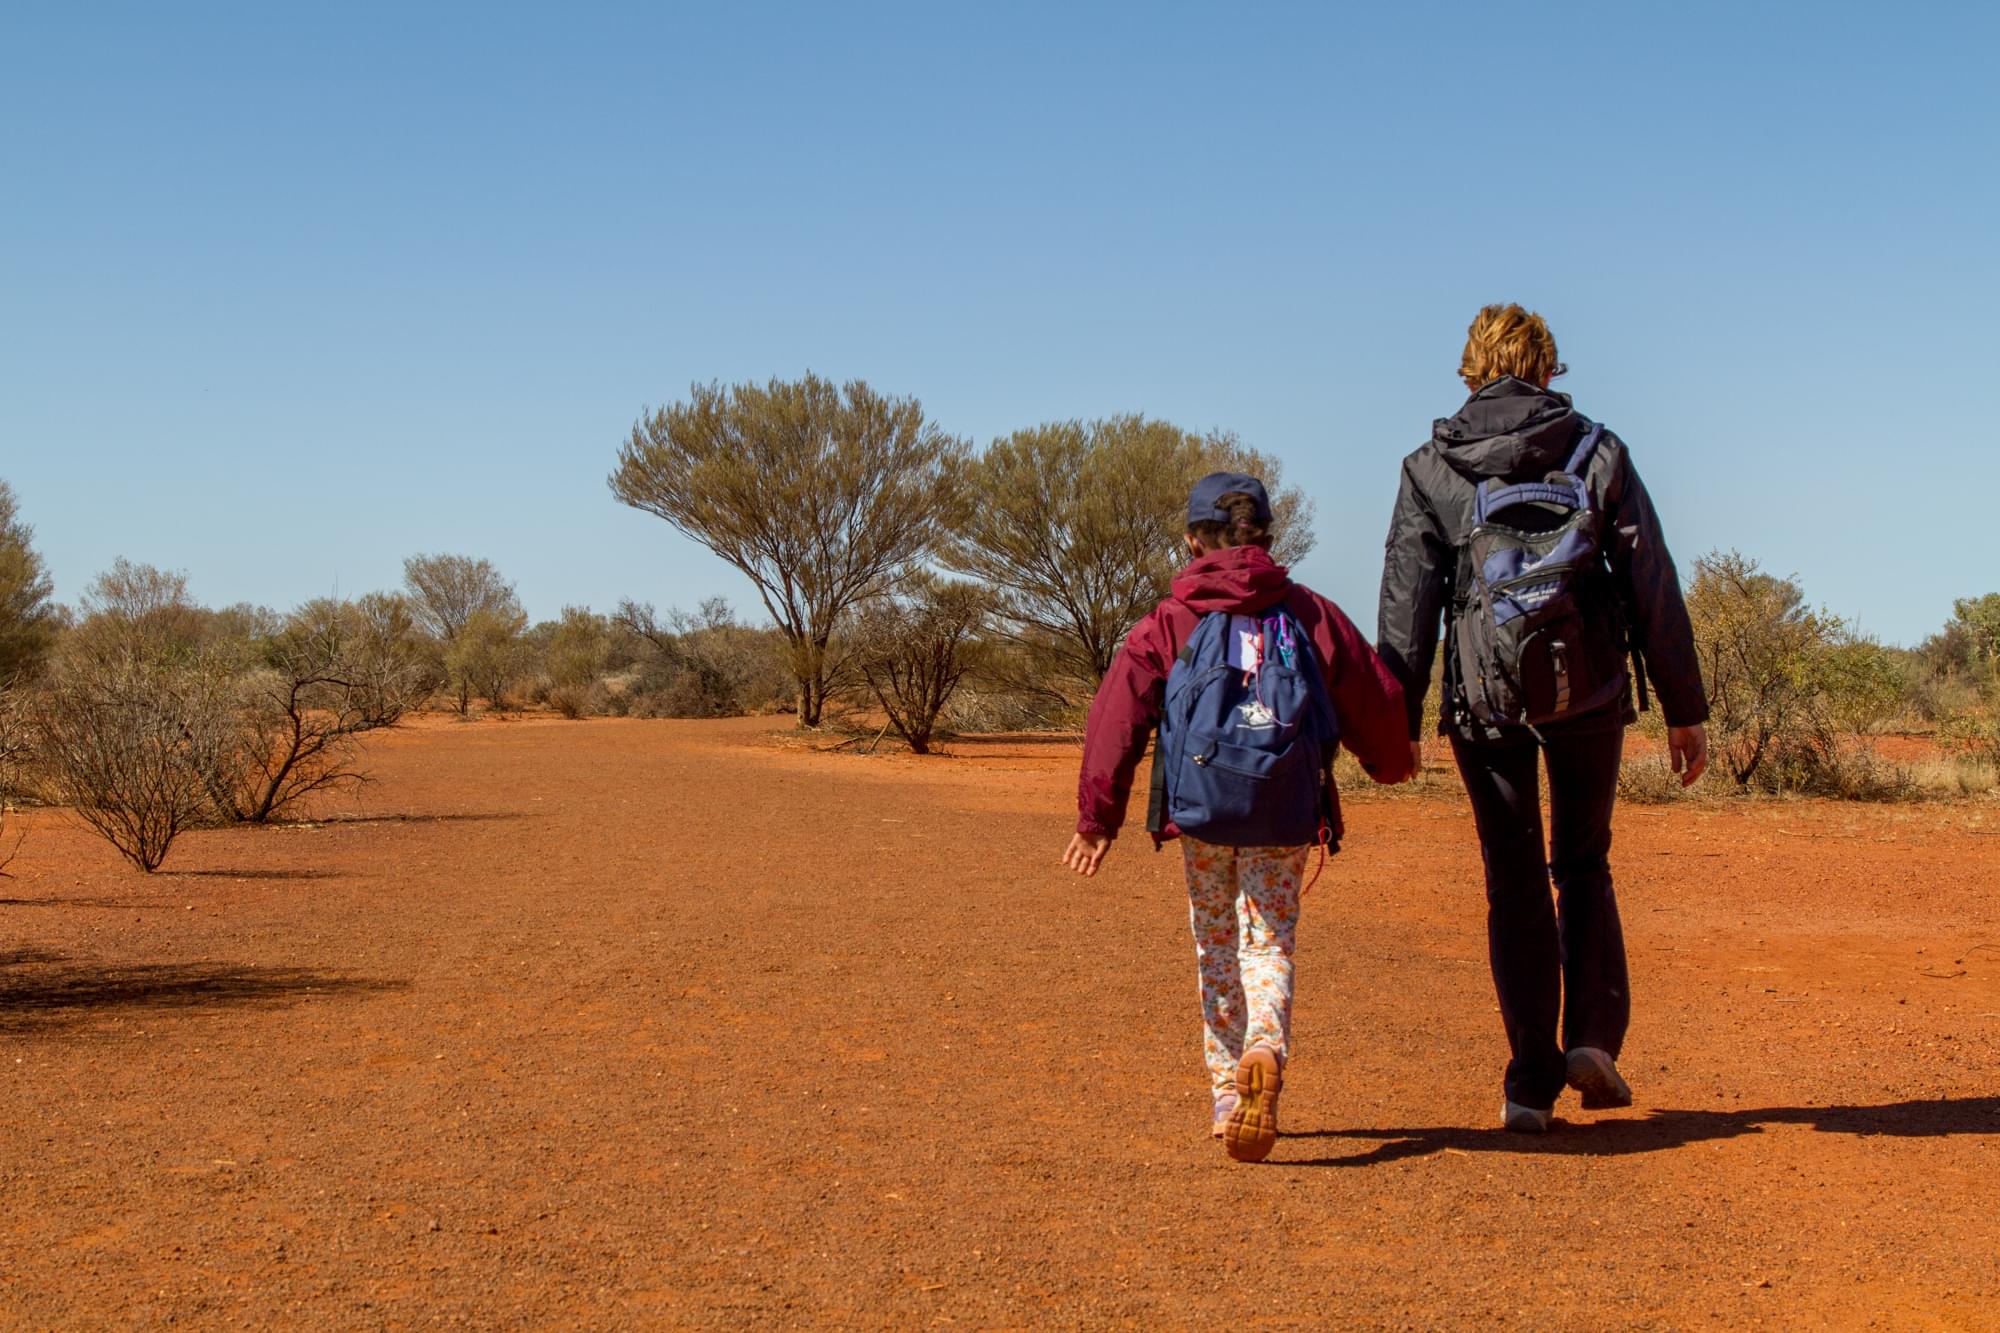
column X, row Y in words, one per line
column 671, row 1024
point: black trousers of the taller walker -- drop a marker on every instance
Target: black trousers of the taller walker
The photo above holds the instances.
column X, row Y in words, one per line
column 1561, row 958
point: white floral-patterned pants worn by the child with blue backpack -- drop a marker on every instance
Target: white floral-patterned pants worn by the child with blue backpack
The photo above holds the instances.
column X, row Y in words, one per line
column 1243, row 906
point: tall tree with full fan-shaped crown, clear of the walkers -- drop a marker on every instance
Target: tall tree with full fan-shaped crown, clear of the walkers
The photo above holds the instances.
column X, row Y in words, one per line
column 819, row 493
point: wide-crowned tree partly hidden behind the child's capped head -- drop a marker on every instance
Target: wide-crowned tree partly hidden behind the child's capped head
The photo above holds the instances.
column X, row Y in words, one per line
column 1079, row 527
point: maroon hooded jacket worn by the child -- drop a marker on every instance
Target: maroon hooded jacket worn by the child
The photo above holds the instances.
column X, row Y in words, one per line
column 1241, row 581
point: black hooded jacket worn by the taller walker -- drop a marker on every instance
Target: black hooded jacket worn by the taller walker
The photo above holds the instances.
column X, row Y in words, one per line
column 1517, row 431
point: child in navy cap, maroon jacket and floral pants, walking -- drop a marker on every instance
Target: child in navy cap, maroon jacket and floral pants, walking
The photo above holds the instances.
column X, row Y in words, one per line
column 1231, row 768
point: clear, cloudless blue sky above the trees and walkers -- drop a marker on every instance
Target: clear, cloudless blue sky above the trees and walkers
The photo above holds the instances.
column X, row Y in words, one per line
column 289, row 293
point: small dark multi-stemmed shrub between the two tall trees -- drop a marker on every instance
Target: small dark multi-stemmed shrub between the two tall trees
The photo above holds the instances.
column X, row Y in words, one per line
column 917, row 647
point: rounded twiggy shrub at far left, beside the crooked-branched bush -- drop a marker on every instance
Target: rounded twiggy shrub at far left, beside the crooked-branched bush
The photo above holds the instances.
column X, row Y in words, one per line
column 117, row 742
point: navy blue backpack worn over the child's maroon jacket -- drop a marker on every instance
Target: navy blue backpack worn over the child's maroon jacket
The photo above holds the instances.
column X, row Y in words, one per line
column 1247, row 754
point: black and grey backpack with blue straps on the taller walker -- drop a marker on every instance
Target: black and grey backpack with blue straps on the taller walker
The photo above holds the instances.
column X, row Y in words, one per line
column 1537, row 633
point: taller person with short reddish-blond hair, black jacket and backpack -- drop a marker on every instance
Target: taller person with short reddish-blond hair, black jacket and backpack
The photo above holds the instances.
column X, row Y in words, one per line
column 1525, row 531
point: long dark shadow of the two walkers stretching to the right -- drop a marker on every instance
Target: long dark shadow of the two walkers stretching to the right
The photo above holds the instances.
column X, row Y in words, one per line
column 1663, row 1130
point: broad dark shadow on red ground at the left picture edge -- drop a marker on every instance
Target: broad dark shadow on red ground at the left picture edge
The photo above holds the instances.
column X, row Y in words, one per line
column 41, row 992
